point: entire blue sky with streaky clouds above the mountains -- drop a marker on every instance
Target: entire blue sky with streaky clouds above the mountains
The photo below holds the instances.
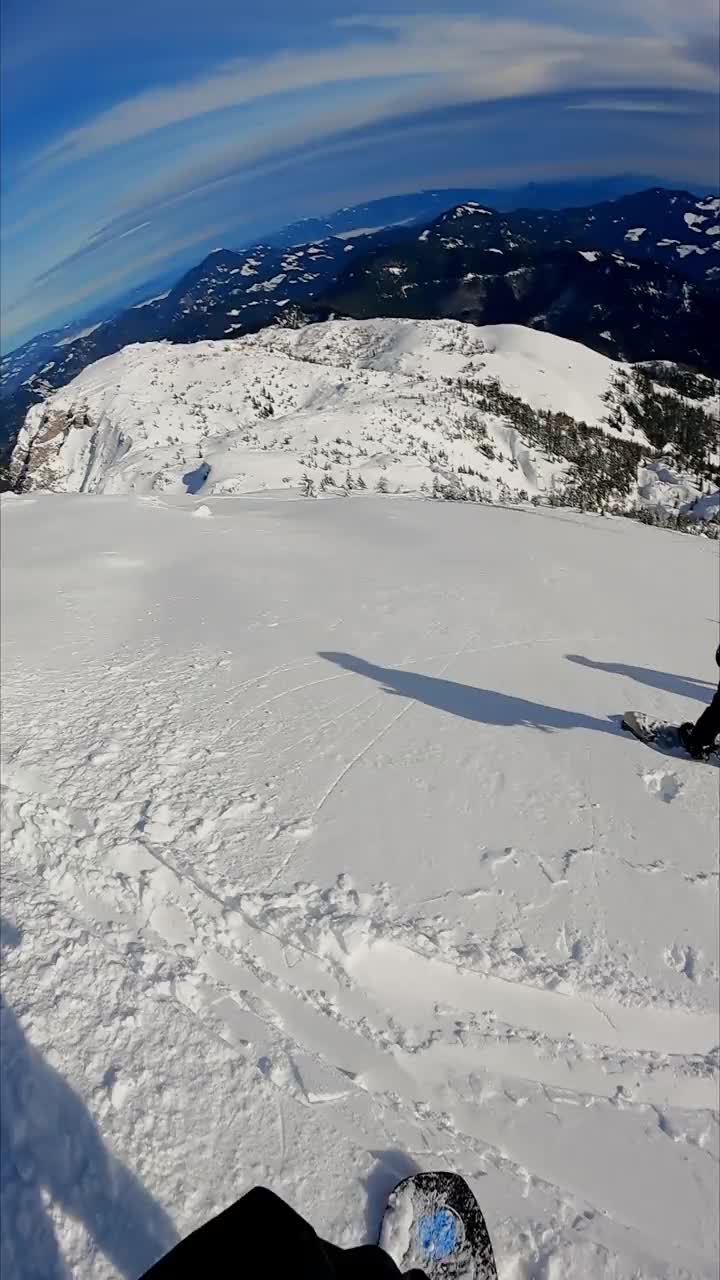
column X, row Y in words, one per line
column 140, row 135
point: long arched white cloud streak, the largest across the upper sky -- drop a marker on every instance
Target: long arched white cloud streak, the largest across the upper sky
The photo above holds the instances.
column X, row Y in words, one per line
column 446, row 60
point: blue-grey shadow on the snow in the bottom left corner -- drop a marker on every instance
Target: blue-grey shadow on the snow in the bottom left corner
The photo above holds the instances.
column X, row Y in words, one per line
column 49, row 1144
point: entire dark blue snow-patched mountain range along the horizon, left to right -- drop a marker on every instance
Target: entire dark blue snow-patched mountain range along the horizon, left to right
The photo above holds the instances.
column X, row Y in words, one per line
column 636, row 278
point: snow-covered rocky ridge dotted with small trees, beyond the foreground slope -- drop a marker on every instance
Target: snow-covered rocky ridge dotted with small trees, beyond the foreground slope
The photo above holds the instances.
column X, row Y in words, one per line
column 367, row 397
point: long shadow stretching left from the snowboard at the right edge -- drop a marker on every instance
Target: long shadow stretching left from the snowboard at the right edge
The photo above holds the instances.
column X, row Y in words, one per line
column 485, row 706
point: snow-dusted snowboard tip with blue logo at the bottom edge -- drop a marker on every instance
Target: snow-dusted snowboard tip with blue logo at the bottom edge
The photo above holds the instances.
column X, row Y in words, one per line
column 434, row 1222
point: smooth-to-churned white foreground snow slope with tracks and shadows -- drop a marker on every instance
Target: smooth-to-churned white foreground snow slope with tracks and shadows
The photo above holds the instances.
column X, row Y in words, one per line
column 325, row 862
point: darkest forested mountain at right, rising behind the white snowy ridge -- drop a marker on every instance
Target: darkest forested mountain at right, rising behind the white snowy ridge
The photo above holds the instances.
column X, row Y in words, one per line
column 539, row 269
